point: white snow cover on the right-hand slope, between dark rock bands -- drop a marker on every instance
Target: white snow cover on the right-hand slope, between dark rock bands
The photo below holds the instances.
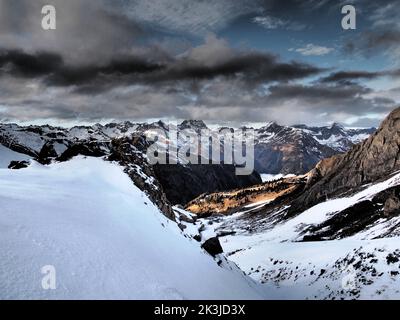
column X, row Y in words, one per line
column 356, row 267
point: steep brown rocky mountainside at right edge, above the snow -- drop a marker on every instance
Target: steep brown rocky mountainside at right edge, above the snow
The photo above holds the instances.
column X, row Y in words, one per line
column 375, row 158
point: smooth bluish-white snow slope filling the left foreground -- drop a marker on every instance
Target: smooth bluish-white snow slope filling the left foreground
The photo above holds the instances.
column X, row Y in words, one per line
column 104, row 237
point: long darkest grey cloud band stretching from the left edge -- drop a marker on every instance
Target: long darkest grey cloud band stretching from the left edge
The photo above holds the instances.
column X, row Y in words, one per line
column 250, row 67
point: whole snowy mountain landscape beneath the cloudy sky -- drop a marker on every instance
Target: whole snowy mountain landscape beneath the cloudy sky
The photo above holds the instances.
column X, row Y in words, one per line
column 324, row 224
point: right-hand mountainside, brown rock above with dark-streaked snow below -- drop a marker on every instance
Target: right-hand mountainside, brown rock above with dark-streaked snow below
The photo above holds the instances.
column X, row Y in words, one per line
column 352, row 199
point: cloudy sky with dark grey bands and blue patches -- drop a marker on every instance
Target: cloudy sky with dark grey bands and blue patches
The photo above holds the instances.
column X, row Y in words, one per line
column 227, row 60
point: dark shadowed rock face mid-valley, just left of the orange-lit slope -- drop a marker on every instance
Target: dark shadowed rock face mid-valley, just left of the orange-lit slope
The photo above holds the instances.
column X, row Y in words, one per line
column 182, row 184
